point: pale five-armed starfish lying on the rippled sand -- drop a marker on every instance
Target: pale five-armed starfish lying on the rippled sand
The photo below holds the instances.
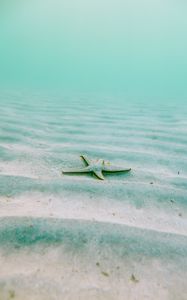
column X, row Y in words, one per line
column 96, row 167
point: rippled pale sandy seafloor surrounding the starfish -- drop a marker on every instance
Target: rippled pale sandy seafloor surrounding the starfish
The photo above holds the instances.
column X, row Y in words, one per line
column 75, row 237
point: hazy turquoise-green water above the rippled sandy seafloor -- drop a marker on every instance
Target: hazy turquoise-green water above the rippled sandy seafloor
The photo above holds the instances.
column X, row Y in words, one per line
column 133, row 47
